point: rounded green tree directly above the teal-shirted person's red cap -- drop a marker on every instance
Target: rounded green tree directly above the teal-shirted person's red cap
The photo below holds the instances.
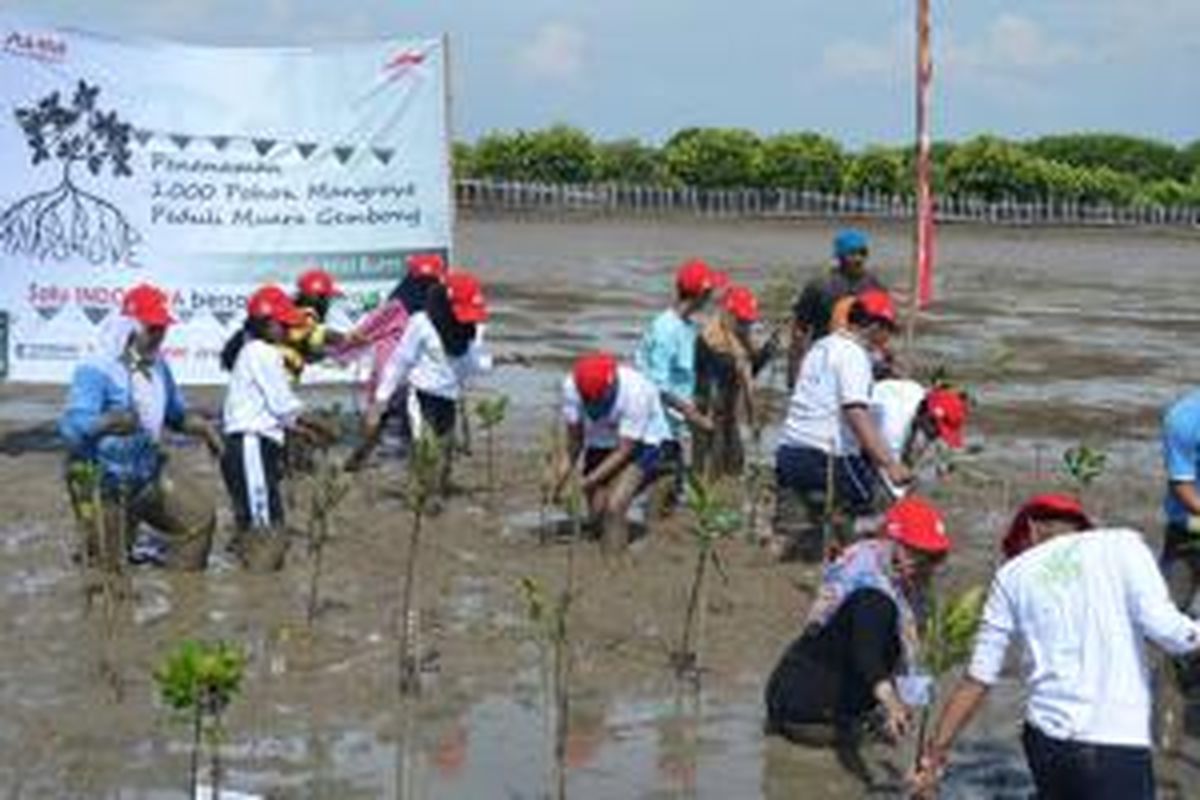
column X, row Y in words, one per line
column 713, row 158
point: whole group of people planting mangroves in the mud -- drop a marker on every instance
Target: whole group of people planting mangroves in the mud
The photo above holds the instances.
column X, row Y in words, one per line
column 1082, row 600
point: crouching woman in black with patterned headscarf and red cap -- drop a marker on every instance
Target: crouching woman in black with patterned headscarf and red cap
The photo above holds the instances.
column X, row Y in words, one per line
column 861, row 642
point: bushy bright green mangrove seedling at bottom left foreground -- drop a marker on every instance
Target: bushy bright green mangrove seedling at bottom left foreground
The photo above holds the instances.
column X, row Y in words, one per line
column 199, row 681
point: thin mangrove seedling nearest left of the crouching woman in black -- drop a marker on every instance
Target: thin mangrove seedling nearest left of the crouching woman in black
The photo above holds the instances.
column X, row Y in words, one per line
column 715, row 520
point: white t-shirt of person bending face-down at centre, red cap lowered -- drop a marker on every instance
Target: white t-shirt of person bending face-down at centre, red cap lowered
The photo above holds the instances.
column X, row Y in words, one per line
column 637, row 414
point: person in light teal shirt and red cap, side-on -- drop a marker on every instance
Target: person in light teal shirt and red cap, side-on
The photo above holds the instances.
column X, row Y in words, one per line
column 667, row 356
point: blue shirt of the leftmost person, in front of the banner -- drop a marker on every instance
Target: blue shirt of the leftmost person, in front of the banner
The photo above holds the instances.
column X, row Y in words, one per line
column 101, row 387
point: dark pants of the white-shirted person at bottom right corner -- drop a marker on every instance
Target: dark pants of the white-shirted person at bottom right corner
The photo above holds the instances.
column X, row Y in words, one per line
column 1078, row 771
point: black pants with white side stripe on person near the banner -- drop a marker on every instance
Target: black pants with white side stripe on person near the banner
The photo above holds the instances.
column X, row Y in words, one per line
column 253, row 467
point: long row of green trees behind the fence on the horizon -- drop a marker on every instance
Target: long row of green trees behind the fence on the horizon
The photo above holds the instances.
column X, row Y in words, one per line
column 1081, row 167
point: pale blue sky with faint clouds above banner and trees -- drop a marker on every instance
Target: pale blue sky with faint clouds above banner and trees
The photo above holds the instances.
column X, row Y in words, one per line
column 649, row 68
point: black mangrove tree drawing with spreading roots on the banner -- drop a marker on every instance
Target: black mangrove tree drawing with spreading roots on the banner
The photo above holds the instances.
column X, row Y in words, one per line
column 68, row 220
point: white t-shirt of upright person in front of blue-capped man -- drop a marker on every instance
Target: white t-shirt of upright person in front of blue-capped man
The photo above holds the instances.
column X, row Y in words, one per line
column 836, row 372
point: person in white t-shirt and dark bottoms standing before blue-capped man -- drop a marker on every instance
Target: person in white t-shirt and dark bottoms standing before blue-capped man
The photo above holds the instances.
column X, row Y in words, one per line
column 830, row 441
